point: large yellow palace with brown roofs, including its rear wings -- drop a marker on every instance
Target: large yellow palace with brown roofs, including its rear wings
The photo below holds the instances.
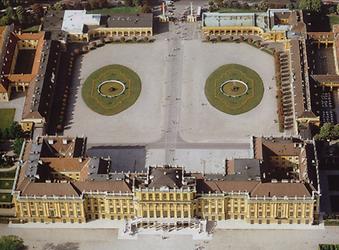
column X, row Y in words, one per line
column 58, row 183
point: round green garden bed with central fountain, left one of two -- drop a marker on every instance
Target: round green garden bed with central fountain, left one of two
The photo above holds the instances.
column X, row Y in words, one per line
column 111, row 89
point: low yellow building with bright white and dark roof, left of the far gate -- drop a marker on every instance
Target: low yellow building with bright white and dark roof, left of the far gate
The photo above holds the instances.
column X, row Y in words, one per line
column 79, row 26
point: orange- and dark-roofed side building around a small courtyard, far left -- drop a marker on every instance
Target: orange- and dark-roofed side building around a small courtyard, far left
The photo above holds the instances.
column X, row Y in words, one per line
column 30, row 64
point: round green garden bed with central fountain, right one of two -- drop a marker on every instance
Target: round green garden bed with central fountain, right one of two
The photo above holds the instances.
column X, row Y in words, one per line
column 234, row 89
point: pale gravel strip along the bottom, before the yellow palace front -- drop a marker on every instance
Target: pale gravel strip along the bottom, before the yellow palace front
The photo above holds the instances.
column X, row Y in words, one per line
column 89, row 239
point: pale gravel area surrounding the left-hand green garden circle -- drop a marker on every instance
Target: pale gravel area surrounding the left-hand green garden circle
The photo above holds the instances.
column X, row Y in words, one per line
column 139, row 124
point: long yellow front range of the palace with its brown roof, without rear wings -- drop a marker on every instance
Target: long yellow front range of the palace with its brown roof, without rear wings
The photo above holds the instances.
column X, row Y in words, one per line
column 217, row 200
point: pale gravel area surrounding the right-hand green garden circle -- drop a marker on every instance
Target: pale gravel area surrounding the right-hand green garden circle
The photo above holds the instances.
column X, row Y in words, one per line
column 200, row 121
